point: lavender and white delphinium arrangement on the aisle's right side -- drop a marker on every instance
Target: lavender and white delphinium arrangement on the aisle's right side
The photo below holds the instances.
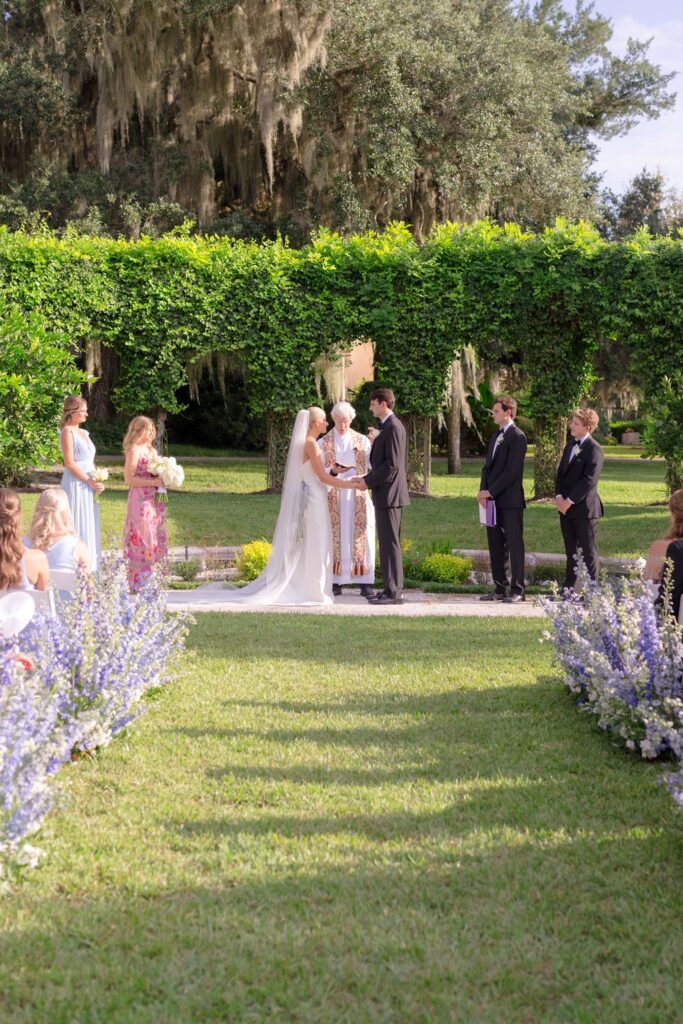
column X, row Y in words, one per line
column 623, row 658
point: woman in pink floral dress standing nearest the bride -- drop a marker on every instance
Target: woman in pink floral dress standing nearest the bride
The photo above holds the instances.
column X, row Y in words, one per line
column 145, row 539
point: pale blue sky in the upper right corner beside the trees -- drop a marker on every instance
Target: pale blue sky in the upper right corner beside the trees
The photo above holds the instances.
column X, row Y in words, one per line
column 659, row 144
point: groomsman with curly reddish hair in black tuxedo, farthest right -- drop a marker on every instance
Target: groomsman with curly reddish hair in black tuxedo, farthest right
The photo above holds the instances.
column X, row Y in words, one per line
column 577, row 495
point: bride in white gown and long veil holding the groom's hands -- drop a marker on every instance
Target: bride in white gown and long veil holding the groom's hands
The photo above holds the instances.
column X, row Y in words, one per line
column 300, row 571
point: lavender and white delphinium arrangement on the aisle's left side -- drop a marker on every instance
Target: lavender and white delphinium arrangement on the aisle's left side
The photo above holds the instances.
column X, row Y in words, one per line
column 94, row 663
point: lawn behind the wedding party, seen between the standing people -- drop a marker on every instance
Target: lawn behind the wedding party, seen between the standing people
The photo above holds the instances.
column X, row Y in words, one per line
column 218, row 507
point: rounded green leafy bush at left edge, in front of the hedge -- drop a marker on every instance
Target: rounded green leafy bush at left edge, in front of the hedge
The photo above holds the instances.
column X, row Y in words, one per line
column 37, row 370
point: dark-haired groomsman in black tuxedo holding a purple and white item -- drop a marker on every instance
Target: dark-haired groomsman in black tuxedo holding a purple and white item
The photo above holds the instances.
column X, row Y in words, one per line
column 502, row 481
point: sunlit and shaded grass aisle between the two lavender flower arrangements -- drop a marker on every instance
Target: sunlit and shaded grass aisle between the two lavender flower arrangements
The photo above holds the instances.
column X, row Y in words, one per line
column 413, row 825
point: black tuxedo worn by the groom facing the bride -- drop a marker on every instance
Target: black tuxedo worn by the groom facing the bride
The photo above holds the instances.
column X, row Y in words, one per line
column 389, row 482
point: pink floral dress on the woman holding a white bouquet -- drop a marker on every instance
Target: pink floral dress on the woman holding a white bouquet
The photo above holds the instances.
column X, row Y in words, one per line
column 145, row 538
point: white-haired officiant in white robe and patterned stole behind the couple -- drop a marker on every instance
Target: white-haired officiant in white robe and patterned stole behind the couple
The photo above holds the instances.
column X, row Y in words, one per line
column 352, row 513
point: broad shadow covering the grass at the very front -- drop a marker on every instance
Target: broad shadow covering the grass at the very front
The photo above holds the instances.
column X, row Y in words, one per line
column 546, row 930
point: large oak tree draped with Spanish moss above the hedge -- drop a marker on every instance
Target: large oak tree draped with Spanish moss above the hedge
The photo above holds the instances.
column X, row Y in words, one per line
column 125, row 118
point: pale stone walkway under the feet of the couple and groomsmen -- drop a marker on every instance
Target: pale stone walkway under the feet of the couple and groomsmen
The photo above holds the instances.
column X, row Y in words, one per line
column 211, row 599
